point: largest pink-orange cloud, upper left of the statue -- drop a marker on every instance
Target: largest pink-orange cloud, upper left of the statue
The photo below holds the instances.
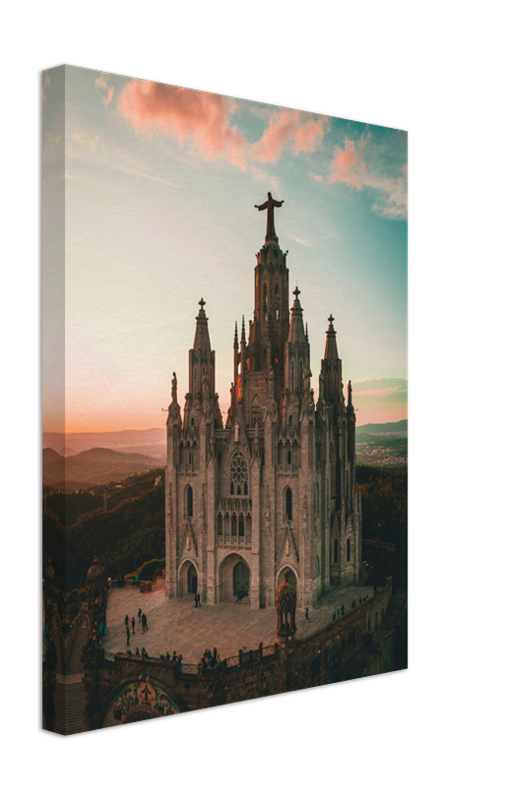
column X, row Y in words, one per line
column 186, row 115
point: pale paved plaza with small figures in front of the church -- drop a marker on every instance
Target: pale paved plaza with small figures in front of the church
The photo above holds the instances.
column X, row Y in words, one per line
column 175, row 624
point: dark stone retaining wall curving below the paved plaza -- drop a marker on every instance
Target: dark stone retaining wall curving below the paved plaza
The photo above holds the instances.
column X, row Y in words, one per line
column 317, row 660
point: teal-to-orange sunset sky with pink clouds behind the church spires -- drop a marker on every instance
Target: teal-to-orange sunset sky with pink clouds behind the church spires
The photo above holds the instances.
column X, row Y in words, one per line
column 149, row 194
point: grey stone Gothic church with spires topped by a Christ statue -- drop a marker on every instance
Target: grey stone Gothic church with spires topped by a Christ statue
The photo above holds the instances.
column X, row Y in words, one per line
column 272, row 492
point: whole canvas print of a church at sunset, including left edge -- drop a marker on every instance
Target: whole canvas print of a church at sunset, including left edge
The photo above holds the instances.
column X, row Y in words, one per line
column 225, row 415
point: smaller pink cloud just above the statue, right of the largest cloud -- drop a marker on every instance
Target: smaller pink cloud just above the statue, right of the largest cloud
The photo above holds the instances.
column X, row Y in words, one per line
column 286, row 130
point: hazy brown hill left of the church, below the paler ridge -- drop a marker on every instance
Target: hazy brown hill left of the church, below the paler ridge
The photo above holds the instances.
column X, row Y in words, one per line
column 99, row 465
